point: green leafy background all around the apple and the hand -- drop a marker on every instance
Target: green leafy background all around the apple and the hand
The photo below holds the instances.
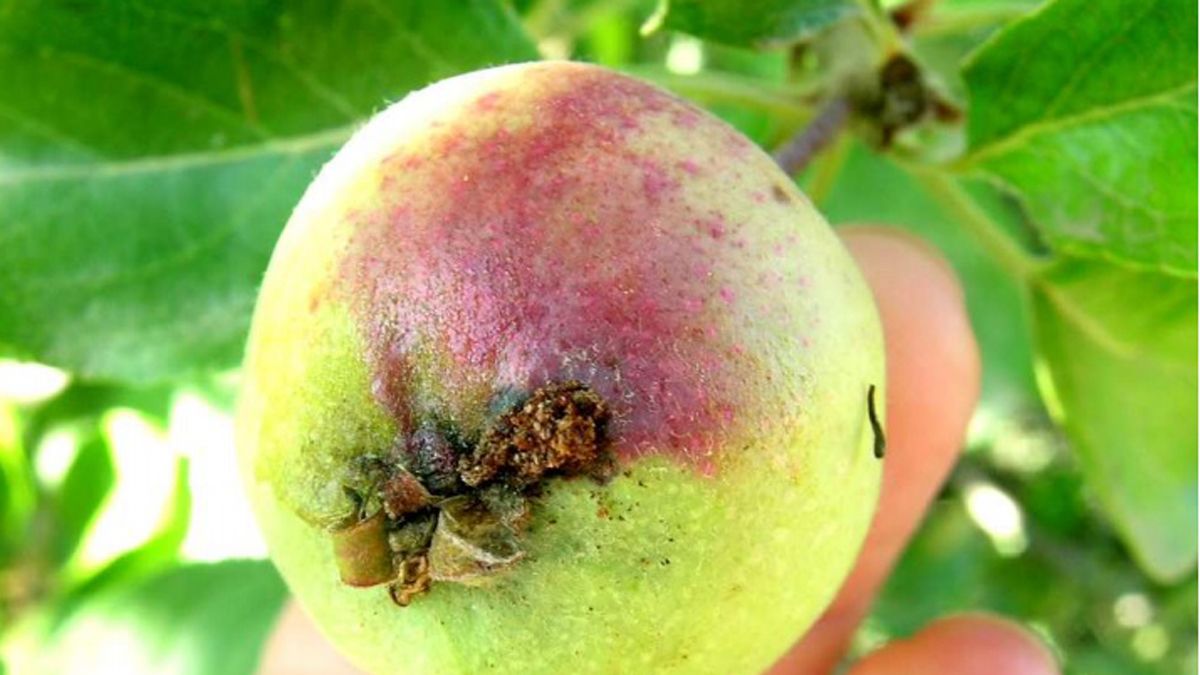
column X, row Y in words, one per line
column 143, row 183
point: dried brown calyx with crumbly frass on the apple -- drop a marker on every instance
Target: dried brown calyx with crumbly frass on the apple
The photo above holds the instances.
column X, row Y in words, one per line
column 442, row 509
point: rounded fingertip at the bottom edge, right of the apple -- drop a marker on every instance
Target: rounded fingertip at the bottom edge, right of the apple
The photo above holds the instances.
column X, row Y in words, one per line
column 974, row 644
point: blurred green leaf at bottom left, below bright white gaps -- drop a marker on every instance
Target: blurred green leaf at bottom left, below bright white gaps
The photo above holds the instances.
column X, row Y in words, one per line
column 193, row 620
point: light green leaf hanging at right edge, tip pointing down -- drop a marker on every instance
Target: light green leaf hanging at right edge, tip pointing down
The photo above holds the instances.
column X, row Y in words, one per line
column 1119, row 351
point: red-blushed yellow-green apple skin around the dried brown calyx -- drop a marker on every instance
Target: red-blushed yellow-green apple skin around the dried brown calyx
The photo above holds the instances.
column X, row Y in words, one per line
column 554, row 222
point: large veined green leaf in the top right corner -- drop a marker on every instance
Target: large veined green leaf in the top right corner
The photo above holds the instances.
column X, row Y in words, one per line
column 1089, row 112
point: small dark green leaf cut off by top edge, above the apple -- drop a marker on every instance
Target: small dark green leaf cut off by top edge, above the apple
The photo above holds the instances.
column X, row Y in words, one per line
column 757, row 23
